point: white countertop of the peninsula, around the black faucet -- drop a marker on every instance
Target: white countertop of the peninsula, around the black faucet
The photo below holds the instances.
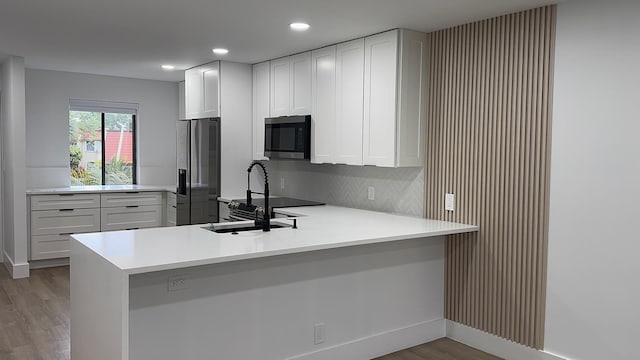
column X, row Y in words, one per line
column 323, row 227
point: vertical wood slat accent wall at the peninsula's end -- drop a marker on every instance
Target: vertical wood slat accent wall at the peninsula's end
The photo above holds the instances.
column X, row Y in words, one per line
column 490, row 96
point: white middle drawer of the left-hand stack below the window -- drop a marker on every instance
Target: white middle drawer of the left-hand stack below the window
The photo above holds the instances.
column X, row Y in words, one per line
column 65, row 221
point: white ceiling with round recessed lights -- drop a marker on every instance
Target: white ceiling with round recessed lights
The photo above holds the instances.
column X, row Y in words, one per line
column 132, row 38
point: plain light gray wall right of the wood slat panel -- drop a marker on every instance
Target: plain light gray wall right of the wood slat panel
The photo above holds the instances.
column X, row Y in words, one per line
column 592, row 286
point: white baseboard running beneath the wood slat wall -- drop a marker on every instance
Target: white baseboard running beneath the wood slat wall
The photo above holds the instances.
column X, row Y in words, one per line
column 495, row 345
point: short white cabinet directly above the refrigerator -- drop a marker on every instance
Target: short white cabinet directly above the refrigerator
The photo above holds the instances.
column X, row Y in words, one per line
column 202, row 91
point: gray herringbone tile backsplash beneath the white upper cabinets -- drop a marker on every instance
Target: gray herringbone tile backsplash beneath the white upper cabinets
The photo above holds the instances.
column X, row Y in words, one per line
column 398, row 190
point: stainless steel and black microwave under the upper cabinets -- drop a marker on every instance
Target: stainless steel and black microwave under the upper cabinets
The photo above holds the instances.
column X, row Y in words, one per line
column 288, row 137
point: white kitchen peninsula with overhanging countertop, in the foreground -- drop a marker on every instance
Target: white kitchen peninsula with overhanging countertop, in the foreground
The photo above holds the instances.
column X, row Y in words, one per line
column 346, row 283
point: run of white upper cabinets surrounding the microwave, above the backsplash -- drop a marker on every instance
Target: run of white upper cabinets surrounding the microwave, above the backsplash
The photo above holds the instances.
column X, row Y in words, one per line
column 367, row 99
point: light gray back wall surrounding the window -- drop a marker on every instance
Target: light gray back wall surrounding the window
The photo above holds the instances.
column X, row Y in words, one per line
column 47, row 116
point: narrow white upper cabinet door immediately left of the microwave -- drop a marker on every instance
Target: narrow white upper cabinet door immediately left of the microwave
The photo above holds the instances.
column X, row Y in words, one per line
column 261, row 82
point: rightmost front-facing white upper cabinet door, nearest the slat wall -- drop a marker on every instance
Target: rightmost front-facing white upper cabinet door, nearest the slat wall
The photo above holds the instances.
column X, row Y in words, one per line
column 380, row 83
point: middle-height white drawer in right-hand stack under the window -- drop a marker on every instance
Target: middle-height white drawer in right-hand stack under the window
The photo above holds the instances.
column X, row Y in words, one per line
column 127, row 218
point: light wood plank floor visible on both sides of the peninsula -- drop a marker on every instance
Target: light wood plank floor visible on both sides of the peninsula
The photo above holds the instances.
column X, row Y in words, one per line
column 34, row 322
